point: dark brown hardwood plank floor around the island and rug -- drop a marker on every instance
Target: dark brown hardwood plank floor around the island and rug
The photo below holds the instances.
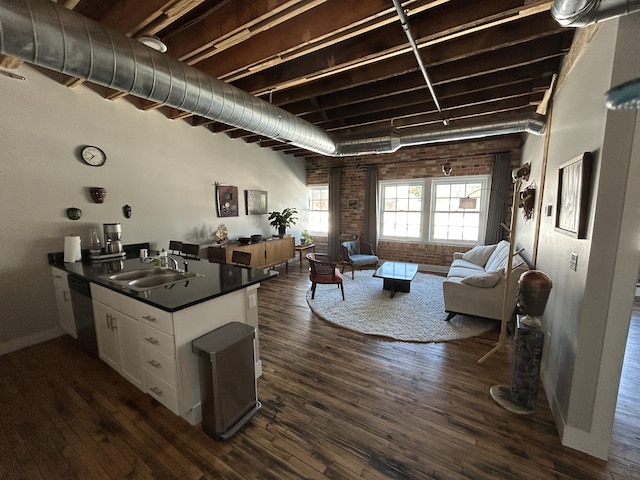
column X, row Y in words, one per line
column 336, row 405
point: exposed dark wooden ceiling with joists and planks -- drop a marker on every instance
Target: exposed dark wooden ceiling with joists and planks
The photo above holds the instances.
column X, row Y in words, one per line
column 347, row 66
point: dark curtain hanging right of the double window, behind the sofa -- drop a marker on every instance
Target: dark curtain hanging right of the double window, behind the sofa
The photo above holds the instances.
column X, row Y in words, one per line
column 499, row 195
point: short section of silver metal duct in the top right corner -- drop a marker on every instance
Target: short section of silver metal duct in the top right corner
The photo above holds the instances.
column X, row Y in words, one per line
column 580, row 13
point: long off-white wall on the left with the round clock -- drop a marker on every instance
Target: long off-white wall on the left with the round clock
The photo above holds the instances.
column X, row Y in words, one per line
column 165, row 169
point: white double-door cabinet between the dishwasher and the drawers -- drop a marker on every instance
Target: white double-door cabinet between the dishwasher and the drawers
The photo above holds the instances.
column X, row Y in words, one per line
column 118, row 342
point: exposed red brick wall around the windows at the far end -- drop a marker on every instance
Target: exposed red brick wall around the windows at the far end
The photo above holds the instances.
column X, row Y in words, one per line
column 467, row 158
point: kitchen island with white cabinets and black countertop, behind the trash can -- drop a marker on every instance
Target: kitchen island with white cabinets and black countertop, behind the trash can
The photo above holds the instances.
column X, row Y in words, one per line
column 146, row 335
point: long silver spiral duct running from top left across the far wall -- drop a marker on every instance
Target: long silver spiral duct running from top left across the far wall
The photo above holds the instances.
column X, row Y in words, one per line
column 48, row 35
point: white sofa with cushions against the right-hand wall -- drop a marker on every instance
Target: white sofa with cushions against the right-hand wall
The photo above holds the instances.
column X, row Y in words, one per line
column 476, row 281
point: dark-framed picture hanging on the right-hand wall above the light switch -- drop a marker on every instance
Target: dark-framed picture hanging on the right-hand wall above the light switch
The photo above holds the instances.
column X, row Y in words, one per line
column 574, row 178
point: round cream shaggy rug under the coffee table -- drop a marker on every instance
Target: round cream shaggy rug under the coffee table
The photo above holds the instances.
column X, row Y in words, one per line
column 417, row 316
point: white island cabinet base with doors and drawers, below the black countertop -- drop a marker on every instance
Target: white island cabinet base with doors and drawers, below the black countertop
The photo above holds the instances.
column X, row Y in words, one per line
column 165, row 366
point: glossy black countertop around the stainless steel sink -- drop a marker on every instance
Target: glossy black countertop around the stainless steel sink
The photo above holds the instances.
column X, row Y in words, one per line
column 218, row 280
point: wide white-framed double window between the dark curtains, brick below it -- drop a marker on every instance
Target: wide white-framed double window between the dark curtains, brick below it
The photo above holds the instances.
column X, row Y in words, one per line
column 428, row 209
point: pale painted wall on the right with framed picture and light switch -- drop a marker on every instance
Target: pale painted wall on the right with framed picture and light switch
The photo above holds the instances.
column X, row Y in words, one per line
column 588, row 313
